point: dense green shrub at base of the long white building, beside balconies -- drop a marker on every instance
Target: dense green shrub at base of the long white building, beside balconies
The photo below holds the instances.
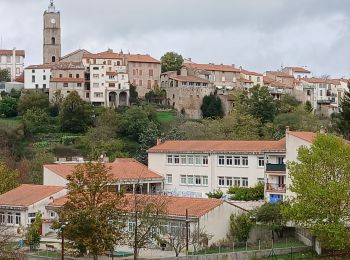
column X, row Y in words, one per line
column 247, row 194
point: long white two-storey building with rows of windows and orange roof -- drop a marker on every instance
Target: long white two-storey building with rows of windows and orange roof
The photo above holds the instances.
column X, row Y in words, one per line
column 194, row 168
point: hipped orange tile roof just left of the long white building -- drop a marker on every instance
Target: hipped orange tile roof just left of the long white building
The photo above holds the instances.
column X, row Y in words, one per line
column 123, row 169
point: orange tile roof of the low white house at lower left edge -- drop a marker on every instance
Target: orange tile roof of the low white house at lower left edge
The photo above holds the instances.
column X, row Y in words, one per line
column 27, row 194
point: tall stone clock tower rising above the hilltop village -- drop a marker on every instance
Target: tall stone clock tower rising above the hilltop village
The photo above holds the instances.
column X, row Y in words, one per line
column 52, row 34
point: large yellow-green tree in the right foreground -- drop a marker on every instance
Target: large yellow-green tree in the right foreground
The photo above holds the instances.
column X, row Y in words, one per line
column 321, row 180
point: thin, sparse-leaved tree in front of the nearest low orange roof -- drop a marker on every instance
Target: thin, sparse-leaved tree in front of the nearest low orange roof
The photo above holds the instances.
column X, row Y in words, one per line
column 148, row 214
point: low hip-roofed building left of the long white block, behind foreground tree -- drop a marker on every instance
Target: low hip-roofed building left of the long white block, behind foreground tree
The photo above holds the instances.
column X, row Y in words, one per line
column 130, row 176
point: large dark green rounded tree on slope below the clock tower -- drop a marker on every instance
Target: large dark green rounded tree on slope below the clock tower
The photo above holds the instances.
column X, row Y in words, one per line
column 75, row 114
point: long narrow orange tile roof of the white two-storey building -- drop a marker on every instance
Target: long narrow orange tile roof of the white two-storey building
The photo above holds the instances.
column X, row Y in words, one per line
column 218, row 146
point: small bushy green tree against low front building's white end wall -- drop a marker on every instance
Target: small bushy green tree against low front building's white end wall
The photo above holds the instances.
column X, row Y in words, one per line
column 240, row 227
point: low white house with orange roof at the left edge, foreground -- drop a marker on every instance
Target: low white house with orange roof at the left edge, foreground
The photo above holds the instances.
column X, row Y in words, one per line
column 19, row 206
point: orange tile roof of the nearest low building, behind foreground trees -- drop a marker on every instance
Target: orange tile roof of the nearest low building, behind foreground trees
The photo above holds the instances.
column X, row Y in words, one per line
column 176, row 206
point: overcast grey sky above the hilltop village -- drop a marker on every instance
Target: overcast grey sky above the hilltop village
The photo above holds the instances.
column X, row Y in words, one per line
column 260, row 35
